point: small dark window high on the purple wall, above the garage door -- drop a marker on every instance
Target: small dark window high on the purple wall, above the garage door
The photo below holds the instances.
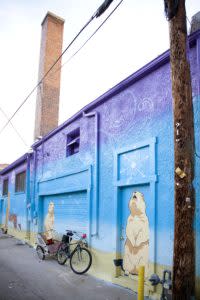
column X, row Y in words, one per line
column 73, row 142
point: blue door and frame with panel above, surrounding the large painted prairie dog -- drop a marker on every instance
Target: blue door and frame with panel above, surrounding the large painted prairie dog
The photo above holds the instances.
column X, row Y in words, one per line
column 140, row 159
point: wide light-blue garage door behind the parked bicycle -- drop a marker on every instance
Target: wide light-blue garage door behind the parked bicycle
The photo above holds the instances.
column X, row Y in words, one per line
column 70, row 211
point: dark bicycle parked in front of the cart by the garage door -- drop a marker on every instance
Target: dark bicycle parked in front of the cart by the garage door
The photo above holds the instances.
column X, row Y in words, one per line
column 80, row 257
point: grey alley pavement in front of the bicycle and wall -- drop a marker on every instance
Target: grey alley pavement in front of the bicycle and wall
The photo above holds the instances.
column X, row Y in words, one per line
column 24, row 277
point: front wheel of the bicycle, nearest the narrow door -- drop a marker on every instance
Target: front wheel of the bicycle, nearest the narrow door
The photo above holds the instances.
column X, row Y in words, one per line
column 80, row 260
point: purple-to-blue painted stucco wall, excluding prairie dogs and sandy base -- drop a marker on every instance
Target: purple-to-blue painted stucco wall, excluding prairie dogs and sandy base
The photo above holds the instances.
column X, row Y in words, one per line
column 135, row 152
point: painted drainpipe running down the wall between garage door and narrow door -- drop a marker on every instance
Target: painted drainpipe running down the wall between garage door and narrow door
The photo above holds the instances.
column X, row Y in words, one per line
column 96, row 172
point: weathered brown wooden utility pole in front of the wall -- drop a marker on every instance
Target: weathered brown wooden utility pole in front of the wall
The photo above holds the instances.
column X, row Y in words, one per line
column 184, row 203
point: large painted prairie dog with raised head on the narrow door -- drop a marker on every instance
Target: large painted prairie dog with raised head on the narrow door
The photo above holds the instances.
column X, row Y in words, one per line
column 136, row 250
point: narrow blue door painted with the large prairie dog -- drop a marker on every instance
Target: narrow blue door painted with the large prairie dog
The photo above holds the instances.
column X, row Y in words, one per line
column 134, row 226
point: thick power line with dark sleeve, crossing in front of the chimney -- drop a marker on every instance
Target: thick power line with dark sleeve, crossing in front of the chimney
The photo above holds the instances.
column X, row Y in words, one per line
column 97, row 14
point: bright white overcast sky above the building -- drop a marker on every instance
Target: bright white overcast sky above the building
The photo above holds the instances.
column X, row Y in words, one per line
column 134, row 35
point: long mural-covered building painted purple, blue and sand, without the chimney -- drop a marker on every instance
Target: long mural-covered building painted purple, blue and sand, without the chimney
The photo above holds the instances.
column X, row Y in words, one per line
column 109, row 171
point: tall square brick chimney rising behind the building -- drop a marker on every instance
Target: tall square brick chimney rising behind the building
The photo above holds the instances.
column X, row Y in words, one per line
column 47, row 102
